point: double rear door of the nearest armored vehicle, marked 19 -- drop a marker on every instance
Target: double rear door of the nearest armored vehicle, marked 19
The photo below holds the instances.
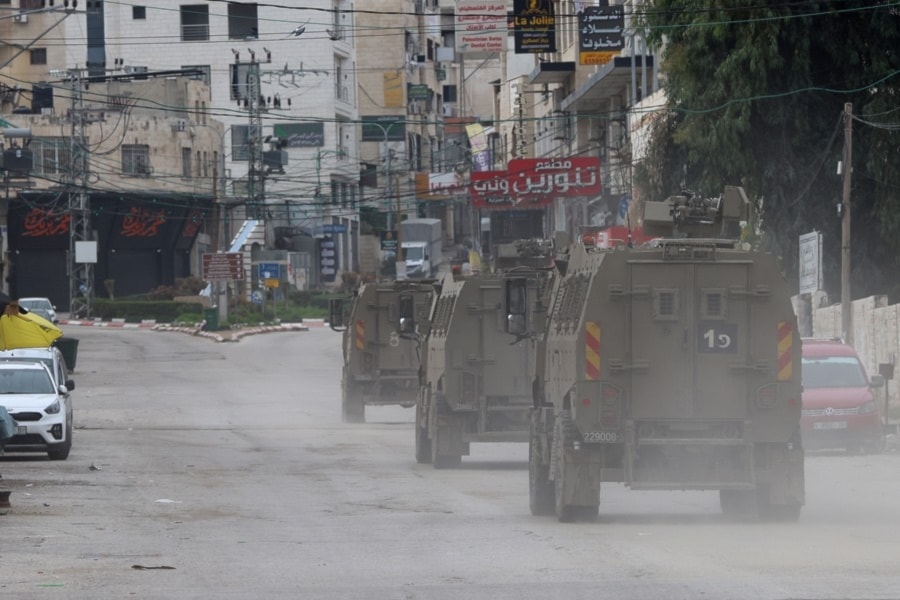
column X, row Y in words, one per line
column 690, row 340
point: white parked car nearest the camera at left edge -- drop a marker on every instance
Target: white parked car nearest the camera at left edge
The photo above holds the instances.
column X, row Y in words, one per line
column 41, row 409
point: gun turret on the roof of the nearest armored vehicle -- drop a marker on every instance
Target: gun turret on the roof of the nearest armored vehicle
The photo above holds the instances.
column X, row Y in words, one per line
column 689, row 215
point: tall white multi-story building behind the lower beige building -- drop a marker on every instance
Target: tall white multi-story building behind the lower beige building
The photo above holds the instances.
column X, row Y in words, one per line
column 281, row 80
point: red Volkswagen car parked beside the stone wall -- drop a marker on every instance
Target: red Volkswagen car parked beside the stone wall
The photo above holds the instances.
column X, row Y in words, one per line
column 839, row 407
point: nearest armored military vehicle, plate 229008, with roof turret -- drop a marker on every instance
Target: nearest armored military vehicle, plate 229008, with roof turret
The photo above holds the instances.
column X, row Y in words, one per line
column 671, row 366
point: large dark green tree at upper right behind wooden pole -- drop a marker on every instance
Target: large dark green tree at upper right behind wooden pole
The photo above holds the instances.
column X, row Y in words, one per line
column 755, row 94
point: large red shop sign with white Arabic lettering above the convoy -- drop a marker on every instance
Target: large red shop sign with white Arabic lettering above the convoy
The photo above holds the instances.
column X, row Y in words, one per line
column 536, row 182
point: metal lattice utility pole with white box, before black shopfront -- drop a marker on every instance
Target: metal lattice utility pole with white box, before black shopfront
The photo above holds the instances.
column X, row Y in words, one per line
column 81, row 268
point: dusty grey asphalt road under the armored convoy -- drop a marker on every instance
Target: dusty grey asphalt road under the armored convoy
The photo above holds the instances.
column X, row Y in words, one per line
column 222, row 470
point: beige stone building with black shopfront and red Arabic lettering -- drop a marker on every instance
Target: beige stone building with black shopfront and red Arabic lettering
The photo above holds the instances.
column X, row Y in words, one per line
column 128, row 162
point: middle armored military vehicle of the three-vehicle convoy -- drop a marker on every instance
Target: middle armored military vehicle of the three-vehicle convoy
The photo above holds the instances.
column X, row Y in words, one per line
column 478, row 364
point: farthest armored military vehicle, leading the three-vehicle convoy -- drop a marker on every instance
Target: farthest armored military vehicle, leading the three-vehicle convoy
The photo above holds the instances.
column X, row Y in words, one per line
column 381, row 328
